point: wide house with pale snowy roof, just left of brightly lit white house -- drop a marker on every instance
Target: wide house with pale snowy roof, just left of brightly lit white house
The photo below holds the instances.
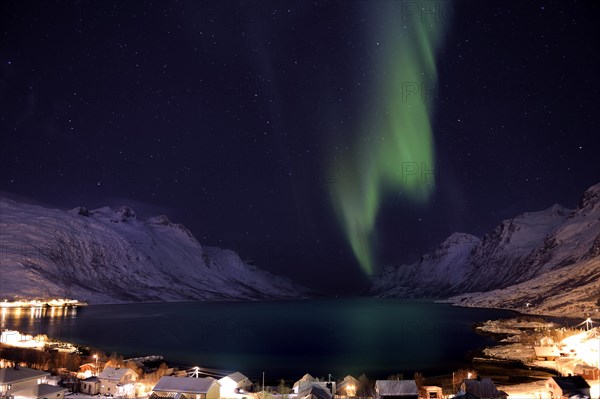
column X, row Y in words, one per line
column 186, row 388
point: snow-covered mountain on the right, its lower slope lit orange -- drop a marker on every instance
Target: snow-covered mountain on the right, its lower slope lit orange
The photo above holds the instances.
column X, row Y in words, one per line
column 545, row 262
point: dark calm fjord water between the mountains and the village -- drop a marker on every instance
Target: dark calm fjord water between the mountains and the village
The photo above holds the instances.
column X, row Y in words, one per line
column 375, row 336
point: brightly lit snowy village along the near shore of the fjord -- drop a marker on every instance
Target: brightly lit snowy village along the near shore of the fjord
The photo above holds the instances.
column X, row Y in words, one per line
column 25, row 361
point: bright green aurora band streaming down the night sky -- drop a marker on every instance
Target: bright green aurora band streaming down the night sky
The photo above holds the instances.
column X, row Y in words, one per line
column 394, row 151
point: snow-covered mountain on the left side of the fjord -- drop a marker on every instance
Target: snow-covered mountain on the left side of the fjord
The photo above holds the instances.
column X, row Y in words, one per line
column 111, row 256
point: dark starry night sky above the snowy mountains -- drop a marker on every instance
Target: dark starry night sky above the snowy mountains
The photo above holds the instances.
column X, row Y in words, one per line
column 232, row 118
